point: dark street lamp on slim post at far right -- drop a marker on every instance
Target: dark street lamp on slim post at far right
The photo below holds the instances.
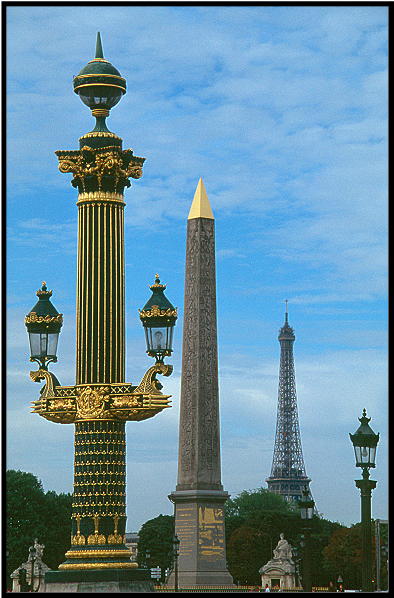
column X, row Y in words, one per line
column 365, row 441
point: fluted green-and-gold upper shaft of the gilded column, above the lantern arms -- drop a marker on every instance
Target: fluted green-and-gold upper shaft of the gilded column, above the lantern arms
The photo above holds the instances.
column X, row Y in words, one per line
column 100, row 289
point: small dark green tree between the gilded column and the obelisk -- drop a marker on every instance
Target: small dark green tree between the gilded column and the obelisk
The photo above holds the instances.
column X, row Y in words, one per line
column 155, row 539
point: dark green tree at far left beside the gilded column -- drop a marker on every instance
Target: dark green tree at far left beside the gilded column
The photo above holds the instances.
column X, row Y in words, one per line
column 33, row 513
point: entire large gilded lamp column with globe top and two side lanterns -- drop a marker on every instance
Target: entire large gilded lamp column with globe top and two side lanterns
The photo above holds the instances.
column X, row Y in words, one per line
column 101, row 401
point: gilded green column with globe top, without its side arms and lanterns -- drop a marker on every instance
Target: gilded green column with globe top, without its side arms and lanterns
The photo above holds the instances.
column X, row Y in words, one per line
column 101, row 171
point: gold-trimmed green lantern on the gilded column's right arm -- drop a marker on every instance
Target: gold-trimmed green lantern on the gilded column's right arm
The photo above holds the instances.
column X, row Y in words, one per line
column 158, row 317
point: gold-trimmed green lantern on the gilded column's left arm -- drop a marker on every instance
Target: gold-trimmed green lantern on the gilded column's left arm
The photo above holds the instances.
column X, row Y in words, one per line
column 43, row 325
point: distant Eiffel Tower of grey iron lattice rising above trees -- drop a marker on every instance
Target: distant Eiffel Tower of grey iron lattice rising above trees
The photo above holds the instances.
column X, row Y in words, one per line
column 288, row 476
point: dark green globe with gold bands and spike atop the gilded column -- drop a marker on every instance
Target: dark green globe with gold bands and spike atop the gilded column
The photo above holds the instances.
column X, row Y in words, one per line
column 99, row 84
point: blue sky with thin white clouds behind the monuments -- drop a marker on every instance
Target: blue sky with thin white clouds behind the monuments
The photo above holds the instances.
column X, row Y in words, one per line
column 283, row 112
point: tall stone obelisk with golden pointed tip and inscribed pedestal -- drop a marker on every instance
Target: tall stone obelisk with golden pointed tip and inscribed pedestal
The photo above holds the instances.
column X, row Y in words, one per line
column 199, row 496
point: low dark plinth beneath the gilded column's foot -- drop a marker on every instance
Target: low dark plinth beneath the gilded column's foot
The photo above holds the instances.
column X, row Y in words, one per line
column 98, row 580
